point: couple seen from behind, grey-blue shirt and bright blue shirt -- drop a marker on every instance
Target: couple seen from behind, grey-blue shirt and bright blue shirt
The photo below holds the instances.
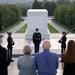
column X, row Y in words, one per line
column 43, row 63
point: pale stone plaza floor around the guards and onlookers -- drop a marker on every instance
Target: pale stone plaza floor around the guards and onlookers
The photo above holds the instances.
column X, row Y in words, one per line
column 20, row 42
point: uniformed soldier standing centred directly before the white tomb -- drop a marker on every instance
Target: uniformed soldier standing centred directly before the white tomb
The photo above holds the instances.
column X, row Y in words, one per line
column 36, row 40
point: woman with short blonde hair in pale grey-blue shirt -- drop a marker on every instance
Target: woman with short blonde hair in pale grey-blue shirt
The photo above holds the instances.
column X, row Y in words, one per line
column 25, row 63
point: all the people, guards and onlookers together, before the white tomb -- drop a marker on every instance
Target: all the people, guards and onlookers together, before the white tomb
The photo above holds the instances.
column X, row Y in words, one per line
column 42, row 63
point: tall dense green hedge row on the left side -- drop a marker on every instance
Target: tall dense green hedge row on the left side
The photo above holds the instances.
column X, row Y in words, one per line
column 9, row 14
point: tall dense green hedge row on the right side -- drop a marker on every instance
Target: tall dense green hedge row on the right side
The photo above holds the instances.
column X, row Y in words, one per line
column 65, row 14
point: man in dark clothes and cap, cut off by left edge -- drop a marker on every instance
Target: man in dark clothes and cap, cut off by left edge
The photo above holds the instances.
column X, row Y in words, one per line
column 4, row 62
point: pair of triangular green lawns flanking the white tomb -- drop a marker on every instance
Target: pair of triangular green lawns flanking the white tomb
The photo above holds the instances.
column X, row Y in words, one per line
column 51, row 29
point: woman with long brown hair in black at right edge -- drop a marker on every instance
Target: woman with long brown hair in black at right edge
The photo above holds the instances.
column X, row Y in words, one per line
column 68, row 59
